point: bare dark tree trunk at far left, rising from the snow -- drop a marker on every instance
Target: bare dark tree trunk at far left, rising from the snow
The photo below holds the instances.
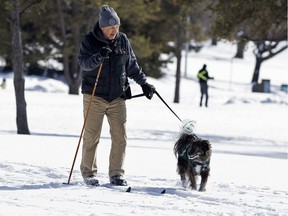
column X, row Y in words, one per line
column 19, row 81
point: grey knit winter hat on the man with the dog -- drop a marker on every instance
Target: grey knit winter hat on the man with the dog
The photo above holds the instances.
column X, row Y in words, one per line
column 108, row 17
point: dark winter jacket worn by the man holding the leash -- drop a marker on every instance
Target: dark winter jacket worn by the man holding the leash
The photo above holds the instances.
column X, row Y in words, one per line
column 122, row 63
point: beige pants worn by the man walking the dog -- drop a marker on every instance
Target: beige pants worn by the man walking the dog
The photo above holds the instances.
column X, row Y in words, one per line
column 116, row 116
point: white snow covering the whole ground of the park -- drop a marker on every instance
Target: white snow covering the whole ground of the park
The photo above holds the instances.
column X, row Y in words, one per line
column 248, row 133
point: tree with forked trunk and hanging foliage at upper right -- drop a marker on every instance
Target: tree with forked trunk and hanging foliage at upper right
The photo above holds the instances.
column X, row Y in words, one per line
column 263, row 22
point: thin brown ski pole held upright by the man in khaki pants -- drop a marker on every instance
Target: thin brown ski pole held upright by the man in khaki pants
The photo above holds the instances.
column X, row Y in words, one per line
column 85, row 120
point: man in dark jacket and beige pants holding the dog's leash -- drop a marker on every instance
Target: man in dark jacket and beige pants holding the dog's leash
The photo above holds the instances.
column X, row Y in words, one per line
column 107, row 46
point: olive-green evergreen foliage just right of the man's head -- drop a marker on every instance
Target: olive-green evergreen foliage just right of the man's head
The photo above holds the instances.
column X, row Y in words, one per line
column 140, row 21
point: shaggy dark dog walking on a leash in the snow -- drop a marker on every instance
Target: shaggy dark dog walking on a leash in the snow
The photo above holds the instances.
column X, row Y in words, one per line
column 193, row 156
